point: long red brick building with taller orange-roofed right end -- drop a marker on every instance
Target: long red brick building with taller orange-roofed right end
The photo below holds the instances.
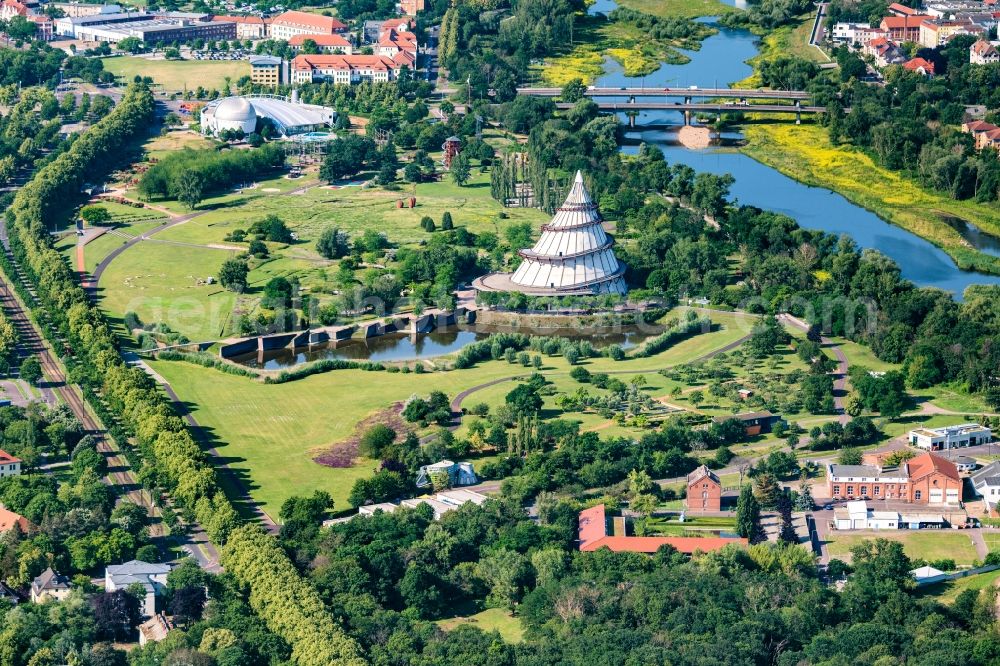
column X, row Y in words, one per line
column 926, row 479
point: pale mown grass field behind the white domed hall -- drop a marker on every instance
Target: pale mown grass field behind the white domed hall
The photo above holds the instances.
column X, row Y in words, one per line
column 178, row 75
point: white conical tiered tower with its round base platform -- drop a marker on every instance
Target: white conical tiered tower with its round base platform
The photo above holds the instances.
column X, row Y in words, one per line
column 573, row 257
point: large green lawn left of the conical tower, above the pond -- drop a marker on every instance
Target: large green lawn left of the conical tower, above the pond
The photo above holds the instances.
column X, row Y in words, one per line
column 160, row 281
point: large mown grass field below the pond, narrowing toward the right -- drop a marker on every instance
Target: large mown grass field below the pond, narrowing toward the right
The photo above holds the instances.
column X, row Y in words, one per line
column 270, row 432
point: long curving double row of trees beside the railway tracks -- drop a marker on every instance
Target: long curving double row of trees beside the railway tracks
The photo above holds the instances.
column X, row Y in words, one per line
column 171, row 458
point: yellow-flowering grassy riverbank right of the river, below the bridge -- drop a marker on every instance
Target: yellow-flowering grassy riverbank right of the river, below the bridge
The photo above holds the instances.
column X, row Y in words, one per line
column 805, row 153
